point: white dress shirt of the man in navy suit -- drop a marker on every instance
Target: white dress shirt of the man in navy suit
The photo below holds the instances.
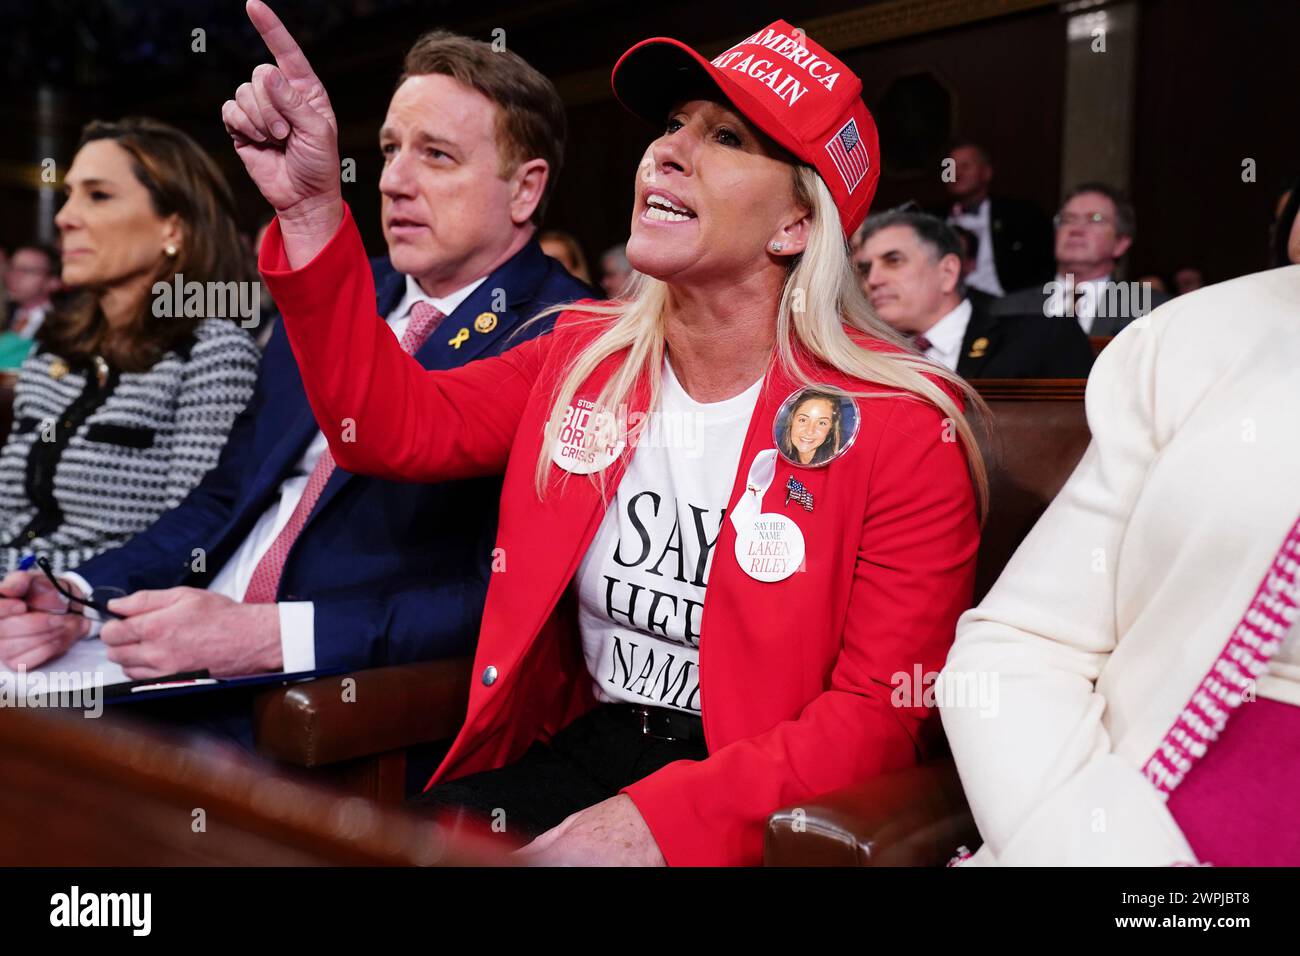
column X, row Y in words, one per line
column 298, row 618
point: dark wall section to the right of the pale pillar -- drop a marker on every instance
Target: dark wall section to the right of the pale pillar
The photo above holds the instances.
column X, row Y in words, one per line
column 1217, row 83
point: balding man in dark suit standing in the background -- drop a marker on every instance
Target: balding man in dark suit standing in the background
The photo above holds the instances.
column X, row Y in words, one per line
column 1015, row 237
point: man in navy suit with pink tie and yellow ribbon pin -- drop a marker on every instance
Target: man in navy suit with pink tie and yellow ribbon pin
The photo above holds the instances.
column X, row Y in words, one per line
column 280, row 563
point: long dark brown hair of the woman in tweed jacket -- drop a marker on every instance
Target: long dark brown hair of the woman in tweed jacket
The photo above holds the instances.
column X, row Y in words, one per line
column 181, row 180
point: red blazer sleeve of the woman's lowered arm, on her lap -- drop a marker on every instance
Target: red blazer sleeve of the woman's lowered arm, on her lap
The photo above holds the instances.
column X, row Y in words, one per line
column 912, row 581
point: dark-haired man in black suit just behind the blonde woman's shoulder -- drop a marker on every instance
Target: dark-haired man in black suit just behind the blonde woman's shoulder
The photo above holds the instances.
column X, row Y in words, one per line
column 912, row 265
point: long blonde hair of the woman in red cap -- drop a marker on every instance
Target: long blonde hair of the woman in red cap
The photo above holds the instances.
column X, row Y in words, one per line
column 821, row 296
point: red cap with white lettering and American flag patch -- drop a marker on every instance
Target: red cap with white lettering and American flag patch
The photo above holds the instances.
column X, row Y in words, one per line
column 783, row 83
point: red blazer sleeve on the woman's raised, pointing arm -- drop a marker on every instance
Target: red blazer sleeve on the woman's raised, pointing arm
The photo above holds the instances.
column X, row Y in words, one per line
column 382, row 412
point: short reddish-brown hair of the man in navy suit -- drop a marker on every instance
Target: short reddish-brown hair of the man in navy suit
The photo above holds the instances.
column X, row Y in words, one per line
column 531, row 123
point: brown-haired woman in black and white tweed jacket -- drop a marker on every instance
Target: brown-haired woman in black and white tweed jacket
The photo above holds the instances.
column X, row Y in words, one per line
column 127, row 403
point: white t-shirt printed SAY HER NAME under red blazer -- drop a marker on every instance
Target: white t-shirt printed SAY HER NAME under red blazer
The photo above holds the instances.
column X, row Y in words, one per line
column 642, row 585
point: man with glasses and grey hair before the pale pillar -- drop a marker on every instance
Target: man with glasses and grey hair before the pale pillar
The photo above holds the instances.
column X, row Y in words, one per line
column 1094, row 232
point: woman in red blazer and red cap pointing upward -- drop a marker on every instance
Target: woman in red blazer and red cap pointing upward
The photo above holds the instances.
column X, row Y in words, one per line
column 690, row 629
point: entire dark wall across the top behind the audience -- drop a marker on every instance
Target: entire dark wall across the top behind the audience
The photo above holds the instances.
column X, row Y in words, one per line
column 1216, row 84
